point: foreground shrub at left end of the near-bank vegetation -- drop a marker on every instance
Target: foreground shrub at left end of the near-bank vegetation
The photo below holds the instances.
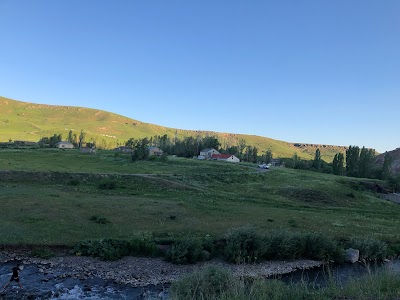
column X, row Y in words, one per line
column 210, row 283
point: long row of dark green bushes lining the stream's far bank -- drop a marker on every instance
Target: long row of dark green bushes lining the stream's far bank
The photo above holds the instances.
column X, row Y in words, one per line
column 240, row 245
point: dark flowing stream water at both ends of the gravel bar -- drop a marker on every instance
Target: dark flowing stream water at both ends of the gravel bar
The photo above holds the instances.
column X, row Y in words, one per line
column 38, row 286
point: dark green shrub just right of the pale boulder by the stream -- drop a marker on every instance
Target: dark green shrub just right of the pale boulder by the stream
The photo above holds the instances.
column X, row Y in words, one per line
column 370, row 248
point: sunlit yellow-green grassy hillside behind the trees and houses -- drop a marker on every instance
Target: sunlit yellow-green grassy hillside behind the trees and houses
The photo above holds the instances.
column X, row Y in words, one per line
column 30, row 122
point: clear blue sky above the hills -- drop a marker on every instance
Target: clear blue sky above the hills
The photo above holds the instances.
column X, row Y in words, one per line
column 301, row 71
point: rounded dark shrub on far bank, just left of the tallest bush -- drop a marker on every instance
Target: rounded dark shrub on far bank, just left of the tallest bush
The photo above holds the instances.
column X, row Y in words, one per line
column 186, row 251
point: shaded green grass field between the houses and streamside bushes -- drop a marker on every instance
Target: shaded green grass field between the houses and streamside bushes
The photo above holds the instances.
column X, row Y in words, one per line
column 51, row 197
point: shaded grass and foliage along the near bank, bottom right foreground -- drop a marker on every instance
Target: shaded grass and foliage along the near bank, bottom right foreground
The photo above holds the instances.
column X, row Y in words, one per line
column 219, row 284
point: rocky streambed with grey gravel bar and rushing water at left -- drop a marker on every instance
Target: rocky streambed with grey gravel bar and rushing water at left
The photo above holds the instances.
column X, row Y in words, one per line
column 74, row 277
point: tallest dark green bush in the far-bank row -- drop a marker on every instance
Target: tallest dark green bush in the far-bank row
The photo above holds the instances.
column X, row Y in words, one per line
column 242, row 245
